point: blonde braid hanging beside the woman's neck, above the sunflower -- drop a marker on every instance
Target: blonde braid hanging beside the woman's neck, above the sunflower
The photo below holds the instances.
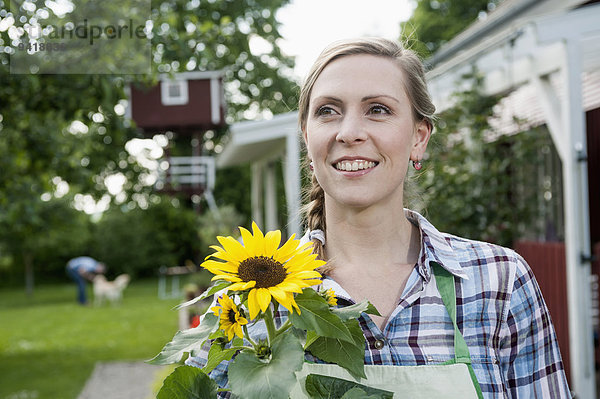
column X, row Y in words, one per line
column 314, row 212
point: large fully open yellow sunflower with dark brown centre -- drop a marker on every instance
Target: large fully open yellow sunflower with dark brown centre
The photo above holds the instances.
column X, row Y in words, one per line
column 264, row 269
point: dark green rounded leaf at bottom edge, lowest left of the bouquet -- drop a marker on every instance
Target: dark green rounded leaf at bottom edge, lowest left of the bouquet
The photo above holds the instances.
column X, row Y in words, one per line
column 187, row 382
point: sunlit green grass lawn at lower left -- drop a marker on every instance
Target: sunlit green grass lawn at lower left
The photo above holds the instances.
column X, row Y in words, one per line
column 49, row 344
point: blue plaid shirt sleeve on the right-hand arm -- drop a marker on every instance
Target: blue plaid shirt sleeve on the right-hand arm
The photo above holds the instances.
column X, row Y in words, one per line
column 529, row 353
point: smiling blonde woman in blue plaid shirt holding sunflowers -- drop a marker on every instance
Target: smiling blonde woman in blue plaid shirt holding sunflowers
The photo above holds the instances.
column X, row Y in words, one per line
column 365, row 116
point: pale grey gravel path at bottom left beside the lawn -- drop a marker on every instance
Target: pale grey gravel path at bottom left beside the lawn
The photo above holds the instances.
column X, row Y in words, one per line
column 121, row 380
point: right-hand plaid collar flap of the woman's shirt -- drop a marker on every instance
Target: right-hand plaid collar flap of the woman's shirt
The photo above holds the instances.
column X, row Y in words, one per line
column 434, row 248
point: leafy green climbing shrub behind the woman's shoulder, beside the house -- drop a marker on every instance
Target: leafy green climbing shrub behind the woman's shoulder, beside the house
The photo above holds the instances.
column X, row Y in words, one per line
column 482, row 185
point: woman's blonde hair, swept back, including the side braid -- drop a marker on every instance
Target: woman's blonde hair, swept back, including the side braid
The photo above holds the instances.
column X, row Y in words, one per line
column 415, row 87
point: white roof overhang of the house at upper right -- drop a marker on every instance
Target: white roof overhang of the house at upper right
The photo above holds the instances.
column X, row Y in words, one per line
column 509, row 46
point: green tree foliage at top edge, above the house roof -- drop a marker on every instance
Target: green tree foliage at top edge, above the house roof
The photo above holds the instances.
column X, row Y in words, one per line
column 434, row 22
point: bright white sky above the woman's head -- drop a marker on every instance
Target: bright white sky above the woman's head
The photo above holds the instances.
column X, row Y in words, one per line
column 307, row 26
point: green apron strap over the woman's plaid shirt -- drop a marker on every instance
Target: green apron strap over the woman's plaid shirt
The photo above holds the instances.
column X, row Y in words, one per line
column 445, row 284
